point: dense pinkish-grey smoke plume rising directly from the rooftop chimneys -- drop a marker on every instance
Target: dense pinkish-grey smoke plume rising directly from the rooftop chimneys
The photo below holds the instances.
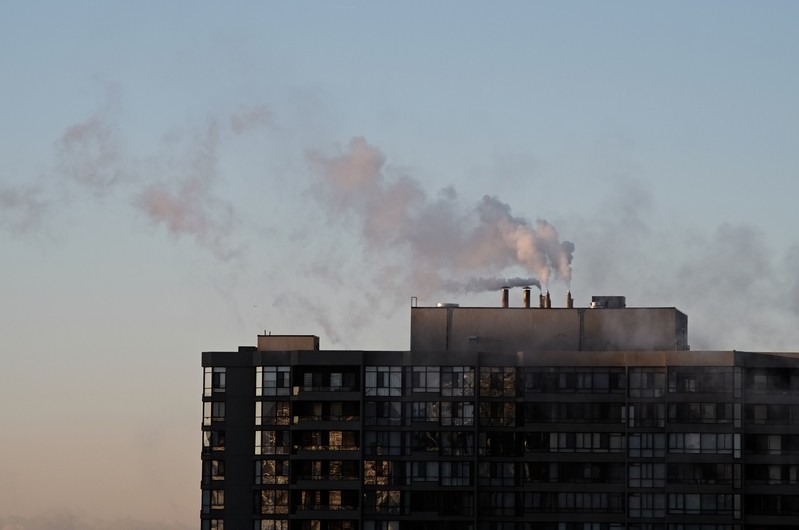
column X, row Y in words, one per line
column 442, row 238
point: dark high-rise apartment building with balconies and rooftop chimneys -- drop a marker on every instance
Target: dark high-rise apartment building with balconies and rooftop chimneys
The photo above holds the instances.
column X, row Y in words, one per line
column 505, row 418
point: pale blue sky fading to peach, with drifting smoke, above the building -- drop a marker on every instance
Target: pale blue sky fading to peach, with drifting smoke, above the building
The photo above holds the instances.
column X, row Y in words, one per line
column 179, row 179
